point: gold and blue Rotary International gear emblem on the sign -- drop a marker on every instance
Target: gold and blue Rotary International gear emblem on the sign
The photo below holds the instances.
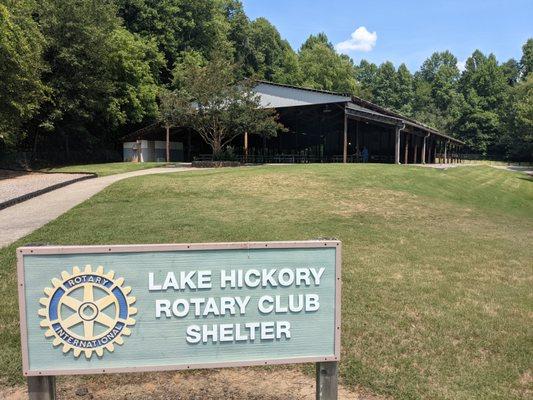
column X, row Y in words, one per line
column 87, row 311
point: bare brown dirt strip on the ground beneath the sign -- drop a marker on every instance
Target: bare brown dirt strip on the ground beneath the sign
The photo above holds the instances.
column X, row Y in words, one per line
column 227, row 384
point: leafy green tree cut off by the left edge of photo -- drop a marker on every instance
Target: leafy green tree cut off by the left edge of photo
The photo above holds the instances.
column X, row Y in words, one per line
column 21, row 67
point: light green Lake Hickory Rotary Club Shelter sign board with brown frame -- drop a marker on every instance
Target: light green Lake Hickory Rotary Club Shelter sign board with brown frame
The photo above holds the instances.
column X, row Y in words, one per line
column 106, row 309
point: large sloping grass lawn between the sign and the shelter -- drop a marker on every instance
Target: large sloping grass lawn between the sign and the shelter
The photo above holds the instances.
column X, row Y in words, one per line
column 437, row 264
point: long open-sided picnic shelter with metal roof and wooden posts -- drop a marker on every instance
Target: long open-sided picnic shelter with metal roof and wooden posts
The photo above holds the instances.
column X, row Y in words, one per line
column 321, row 126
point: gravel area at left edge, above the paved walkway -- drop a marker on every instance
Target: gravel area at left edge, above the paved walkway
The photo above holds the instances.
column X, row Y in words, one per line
column 14, row 184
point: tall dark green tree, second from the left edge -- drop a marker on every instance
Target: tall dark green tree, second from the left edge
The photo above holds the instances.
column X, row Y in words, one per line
column 78, row 42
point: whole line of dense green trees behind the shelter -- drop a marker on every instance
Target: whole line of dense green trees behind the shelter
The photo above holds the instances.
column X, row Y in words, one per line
column 76, row 75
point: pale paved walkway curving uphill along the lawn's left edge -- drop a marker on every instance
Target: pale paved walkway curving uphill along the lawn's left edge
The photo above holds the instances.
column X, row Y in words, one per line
column 23, row 218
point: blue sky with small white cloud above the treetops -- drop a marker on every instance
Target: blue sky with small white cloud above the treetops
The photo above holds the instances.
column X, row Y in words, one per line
column 403, row 31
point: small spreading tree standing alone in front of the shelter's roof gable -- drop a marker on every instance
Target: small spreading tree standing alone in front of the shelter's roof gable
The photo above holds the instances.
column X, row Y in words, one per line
column 217, row 106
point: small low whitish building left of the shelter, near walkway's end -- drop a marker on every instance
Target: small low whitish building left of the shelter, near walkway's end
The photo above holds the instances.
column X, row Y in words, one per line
column 151, row 151
